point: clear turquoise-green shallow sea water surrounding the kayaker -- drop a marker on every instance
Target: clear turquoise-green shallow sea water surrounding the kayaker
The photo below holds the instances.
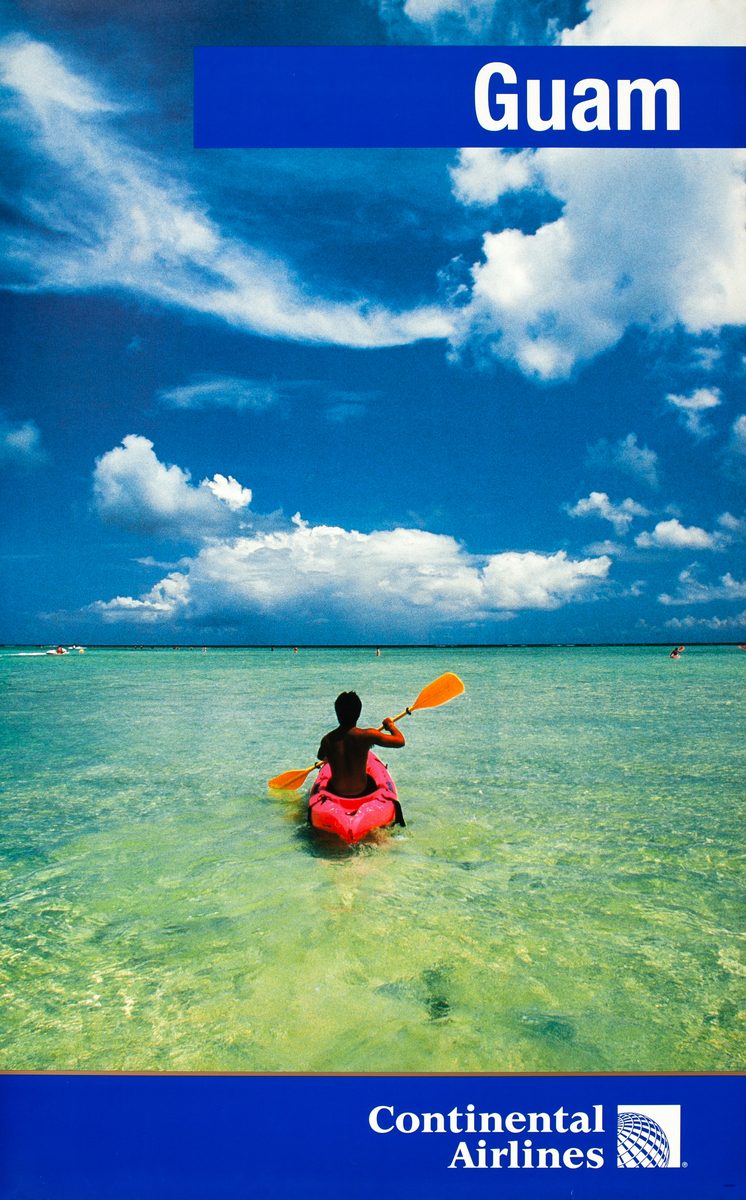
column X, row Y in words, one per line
column 568, row 895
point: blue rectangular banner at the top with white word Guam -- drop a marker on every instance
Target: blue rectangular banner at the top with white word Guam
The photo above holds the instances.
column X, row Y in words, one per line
column 470, row 97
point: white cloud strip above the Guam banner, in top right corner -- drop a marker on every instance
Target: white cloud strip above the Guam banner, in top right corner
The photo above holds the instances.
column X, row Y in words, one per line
column 660, row 23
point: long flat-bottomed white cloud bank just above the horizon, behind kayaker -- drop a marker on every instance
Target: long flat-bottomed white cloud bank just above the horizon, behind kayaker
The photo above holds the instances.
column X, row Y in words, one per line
column 407, row 578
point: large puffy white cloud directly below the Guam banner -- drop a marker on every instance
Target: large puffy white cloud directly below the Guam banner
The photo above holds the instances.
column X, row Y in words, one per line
column 652, row 238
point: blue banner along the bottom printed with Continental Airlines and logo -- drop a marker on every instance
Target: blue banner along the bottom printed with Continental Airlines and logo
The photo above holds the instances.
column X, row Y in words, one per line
column 353, row 1138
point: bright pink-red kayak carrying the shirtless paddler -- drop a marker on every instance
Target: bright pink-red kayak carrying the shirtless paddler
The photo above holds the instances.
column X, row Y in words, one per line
column 353, row 817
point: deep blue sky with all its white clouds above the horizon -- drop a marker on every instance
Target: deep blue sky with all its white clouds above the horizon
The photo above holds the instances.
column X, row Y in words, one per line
column 340, row 397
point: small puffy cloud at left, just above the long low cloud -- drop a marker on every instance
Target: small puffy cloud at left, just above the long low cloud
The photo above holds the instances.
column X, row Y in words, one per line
column 133, row 489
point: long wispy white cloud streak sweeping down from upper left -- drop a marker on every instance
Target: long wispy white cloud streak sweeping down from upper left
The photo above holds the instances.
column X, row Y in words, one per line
column 106, row 217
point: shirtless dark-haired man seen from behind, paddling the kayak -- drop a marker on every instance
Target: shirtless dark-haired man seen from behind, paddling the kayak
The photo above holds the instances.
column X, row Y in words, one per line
column 346, row 749
